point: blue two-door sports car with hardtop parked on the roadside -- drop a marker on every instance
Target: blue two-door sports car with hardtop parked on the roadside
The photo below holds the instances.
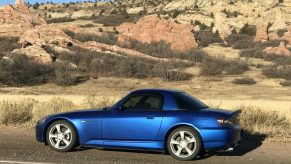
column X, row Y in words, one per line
column 149, row 119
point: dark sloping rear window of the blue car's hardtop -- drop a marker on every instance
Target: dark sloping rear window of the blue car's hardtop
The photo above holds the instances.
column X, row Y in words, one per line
column 188, row 102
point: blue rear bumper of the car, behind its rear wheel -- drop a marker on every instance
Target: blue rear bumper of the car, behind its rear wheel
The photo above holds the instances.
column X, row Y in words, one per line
column 222, row 139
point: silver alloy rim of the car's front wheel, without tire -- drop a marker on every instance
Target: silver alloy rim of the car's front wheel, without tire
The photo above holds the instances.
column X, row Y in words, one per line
column 60, row 136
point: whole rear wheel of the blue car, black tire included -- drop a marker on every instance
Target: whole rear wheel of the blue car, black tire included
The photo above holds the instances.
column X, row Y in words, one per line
column 184, row 143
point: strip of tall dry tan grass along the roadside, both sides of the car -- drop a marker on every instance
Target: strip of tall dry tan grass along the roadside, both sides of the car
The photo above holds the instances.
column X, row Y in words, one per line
column 272, row 125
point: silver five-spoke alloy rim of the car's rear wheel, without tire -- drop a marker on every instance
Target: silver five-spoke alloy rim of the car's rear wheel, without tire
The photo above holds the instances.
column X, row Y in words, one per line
column 183, row 144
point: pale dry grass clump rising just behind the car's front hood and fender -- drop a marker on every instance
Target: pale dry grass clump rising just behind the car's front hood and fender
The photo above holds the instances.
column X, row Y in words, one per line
column 53, row 106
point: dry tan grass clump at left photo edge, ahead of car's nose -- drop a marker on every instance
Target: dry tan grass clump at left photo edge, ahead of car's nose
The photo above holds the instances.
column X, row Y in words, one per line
column 16, row 112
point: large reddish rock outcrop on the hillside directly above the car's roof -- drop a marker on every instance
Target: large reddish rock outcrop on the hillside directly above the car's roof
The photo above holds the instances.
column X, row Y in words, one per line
column 151, row 29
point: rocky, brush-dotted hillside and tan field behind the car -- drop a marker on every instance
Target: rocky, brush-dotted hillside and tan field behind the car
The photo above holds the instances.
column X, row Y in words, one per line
column 231, row 49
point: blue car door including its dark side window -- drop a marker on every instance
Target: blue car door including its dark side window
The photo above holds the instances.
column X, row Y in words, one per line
column 139, row 119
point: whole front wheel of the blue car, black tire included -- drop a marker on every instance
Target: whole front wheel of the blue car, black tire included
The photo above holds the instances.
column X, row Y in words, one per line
column 61, row 136
